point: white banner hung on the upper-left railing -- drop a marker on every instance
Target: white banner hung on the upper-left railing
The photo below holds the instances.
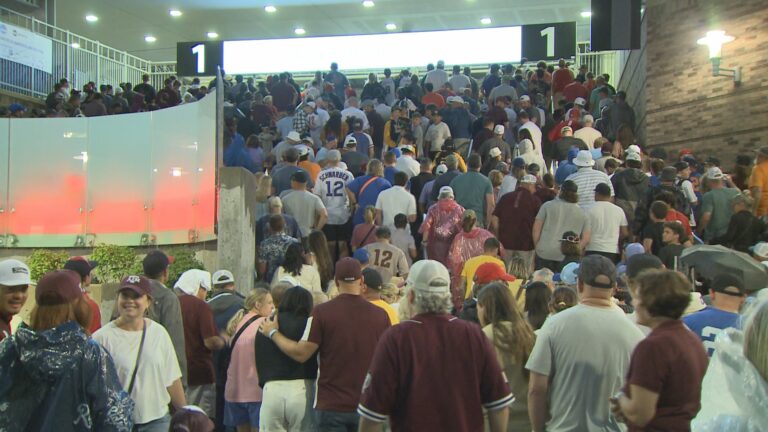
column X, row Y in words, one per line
column 22, row 46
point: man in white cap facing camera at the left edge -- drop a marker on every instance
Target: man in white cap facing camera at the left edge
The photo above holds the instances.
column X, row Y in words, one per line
column 14, row 281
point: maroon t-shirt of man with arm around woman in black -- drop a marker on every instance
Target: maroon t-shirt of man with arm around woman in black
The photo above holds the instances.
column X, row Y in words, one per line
column 347, row 330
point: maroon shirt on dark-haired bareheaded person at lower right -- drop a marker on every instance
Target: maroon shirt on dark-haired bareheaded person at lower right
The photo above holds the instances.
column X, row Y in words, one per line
column 671, row 361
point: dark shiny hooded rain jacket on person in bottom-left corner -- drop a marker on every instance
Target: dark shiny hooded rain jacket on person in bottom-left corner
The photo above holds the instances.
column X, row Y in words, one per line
column 60, row 380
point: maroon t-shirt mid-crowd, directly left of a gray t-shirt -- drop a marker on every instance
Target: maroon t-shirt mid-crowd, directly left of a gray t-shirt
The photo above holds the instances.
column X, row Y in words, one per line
column 516, row 212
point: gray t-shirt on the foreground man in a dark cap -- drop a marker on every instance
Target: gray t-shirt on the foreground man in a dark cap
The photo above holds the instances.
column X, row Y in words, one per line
column 585, row 352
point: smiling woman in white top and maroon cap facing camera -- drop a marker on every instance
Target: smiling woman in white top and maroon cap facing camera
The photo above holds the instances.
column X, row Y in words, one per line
column 144, row 357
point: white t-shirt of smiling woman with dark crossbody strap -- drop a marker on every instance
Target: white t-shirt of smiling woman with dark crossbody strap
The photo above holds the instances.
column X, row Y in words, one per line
column 158, row 366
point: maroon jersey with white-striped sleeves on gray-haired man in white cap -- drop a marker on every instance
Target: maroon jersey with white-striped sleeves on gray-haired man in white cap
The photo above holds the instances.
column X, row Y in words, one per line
column 434, row 372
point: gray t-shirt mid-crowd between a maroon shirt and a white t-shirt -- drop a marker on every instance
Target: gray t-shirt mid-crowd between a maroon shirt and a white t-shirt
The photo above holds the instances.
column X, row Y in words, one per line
column 558, row 216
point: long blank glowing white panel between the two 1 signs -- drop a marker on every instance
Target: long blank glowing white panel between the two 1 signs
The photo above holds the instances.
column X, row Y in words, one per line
column 373, row 51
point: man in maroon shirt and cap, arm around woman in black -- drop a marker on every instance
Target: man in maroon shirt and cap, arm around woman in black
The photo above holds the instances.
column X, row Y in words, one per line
column 344, row 332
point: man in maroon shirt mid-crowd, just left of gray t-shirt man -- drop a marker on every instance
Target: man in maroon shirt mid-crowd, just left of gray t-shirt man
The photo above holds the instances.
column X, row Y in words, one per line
column 513, row 220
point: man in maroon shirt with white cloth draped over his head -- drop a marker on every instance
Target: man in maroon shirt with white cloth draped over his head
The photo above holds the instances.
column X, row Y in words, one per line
column 201, row 338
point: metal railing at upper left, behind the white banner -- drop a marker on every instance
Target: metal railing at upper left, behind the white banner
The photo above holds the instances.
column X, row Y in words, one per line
column 76, row 58
